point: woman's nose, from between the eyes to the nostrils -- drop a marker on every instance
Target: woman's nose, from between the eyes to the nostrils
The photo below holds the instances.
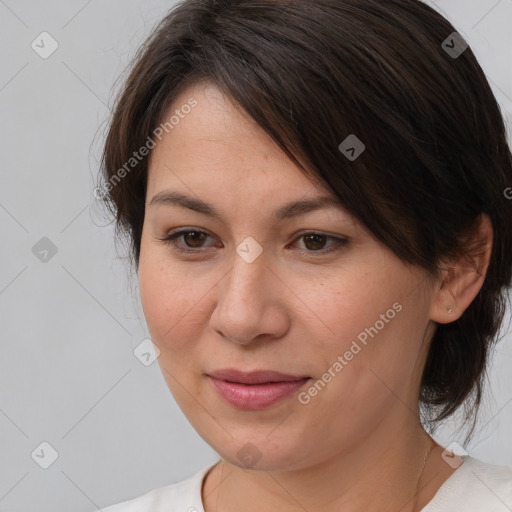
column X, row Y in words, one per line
column 250, row 303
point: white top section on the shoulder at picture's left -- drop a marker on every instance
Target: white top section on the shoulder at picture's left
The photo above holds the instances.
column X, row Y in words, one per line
column 184, row 496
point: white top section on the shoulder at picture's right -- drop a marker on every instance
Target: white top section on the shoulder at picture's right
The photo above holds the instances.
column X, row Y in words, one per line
column 475, row 486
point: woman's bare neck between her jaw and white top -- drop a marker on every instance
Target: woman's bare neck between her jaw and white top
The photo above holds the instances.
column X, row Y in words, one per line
column 385, row 471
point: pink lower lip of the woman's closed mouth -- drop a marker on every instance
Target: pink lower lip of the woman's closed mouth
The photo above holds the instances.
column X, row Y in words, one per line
column 256, row 396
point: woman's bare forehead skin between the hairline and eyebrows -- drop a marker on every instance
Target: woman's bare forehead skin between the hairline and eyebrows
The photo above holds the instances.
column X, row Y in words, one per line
column 218, row 142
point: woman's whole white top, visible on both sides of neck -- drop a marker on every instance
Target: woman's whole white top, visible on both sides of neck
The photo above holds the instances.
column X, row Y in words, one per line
column 475, row 486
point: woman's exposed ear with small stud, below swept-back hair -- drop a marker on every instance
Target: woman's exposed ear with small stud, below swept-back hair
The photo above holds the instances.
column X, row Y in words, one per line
column 462, row 279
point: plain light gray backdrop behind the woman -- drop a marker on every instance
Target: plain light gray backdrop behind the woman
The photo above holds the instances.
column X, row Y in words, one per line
column 69, row 326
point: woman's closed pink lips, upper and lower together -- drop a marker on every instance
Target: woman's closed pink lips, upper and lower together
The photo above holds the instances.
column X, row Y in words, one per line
column 255, row 390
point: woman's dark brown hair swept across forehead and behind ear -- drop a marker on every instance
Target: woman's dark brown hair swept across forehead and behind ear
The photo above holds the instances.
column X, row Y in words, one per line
column 313, row 72
